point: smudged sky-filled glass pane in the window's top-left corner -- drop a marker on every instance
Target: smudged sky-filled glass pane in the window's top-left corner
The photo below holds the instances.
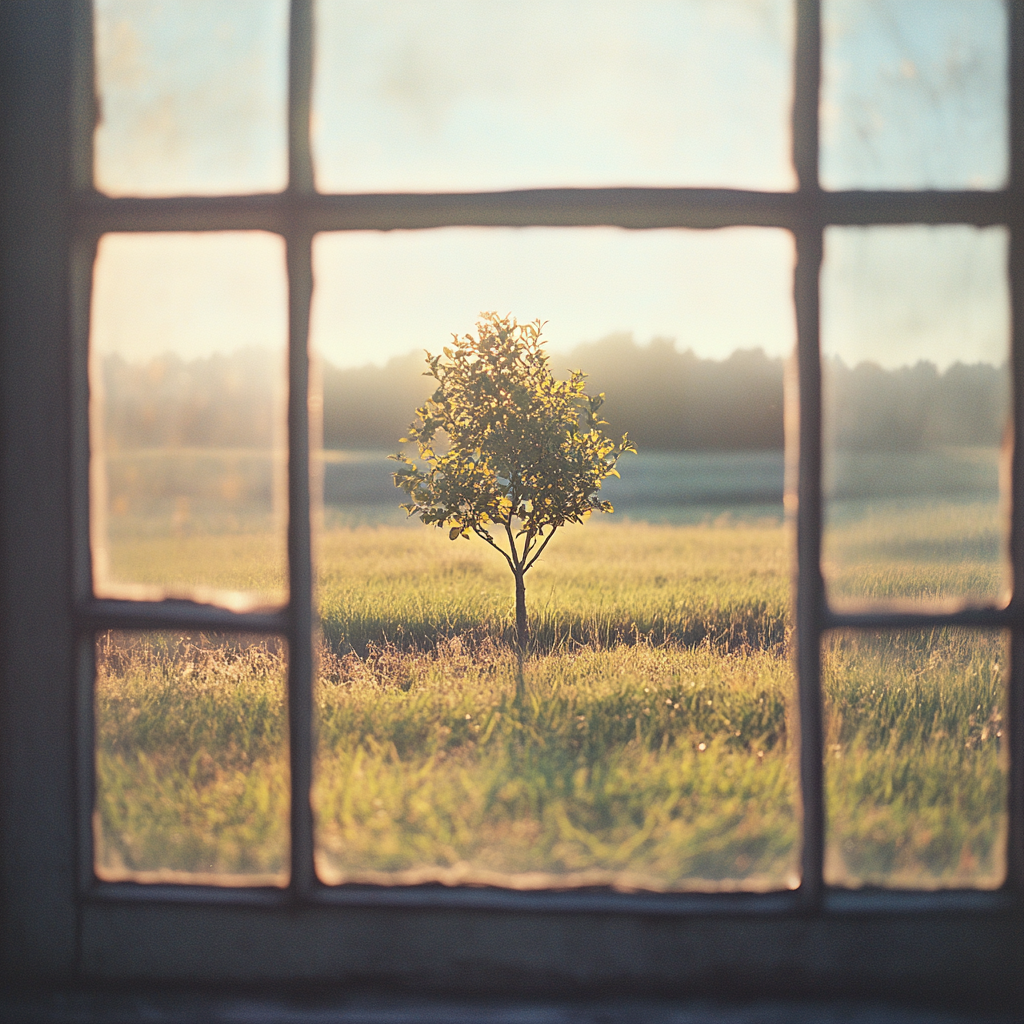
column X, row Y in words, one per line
column 192, row 96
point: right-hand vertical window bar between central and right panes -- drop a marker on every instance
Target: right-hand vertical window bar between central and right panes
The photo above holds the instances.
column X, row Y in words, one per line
column 810, row 591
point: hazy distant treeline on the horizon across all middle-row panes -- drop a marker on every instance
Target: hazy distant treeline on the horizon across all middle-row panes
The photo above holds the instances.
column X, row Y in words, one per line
column 667, row 400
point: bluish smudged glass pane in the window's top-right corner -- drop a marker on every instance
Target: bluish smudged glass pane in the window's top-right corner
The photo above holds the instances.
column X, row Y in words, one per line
column 914, row 95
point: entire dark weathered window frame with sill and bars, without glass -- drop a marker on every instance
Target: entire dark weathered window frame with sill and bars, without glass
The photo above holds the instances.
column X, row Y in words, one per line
column 61, row 923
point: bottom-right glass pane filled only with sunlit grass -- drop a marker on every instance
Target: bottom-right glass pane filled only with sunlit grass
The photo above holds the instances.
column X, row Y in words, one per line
column 916, row 759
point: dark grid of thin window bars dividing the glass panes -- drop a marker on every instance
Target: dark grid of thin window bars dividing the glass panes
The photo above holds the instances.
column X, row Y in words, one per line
column 301, row 212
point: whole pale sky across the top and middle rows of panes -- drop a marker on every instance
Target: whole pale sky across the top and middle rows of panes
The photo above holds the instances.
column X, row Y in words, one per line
column 482, row 95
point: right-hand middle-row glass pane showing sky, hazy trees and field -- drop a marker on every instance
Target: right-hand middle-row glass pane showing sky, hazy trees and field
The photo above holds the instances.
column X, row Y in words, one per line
column 917, row 403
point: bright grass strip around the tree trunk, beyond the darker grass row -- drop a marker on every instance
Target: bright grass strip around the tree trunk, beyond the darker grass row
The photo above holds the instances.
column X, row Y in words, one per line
column 599, row 585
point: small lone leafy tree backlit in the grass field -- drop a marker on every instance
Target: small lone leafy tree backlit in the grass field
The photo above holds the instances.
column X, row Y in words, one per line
column 507, row 457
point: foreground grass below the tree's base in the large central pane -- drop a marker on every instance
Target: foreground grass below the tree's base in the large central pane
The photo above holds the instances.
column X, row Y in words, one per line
column 634, row 766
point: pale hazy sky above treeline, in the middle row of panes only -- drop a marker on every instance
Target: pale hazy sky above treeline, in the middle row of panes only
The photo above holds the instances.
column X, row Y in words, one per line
column 894, row 296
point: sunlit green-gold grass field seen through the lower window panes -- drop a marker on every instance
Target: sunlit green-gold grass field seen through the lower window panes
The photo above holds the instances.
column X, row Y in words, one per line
column 645, row 742
